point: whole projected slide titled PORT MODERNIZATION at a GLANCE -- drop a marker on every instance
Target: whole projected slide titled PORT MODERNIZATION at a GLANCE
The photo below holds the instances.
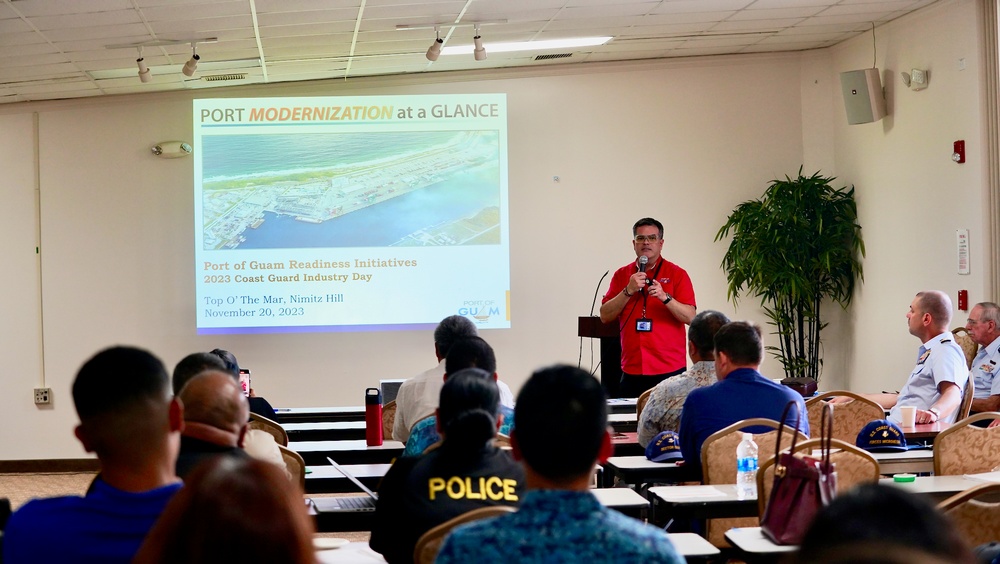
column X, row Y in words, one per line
column 369, row 213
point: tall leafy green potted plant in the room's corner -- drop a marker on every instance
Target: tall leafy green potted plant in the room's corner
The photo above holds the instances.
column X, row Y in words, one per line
column 794, row 247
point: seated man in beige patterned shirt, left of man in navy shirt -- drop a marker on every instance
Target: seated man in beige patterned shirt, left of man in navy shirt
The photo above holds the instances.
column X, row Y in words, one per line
column 663, row 408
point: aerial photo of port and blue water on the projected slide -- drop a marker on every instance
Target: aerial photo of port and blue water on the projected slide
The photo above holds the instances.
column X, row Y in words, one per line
column 351, row 189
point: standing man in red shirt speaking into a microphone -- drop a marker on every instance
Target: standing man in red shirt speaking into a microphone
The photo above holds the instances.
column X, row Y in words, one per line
column 652, row 299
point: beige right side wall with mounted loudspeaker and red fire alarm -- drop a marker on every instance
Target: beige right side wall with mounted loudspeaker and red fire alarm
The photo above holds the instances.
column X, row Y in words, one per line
column 911, row 196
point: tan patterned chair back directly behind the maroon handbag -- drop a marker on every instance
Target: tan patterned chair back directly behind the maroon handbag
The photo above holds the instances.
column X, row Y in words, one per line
column 854, row 466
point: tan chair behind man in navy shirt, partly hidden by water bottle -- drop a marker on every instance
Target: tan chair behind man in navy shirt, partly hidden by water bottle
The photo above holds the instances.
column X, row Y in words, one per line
column 718, row 463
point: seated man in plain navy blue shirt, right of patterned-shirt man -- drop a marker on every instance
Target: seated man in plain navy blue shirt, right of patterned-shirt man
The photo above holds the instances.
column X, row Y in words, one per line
column 741, row 392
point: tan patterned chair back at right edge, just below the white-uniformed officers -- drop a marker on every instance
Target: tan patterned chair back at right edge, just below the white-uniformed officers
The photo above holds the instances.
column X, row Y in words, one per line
column 964, row 448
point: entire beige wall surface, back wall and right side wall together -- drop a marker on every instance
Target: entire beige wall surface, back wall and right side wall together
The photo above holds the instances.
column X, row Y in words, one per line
column 683, row 141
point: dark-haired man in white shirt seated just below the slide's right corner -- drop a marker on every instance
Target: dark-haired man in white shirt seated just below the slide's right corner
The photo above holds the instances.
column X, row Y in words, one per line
column 417, row 397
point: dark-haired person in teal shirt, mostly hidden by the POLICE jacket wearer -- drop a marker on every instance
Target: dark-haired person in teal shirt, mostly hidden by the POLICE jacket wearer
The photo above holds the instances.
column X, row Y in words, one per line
column 471, row 352
